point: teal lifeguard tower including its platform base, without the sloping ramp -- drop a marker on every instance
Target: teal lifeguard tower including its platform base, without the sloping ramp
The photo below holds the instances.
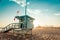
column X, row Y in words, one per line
column 25, row 24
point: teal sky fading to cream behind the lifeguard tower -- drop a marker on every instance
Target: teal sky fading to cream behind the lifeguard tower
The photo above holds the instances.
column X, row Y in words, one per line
column 47, row 12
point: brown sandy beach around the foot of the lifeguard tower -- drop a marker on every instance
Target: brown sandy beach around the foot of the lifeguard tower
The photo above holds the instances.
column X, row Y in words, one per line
column 37, row 34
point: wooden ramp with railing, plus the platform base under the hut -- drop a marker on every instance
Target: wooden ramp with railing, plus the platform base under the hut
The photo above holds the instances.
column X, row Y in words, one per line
column 15, row 27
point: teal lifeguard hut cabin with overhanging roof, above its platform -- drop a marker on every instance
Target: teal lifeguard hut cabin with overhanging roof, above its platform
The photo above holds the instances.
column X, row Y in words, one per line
column 28, row 24
